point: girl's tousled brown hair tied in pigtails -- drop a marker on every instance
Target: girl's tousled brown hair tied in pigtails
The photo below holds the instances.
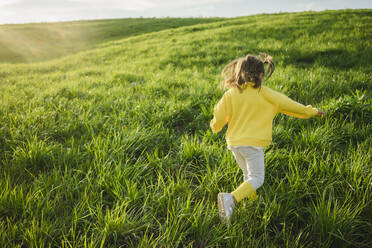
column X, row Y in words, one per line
column 247, row 69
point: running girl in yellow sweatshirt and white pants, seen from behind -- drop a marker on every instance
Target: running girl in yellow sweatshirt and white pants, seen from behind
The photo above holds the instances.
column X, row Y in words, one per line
column 249, row 109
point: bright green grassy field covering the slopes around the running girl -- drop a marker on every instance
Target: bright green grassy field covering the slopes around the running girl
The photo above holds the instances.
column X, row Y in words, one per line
column 111, row 146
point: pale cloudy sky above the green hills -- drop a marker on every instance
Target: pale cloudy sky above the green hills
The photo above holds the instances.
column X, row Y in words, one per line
column 25, row 11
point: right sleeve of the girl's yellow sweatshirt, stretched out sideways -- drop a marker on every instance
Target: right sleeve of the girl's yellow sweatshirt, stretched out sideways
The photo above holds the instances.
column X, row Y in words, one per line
column 289, row 107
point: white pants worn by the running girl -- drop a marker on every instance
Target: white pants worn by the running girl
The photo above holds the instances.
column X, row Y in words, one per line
column 251, row 161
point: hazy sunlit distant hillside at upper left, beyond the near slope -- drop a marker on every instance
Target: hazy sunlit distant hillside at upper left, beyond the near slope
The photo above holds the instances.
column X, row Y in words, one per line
column 44, row 41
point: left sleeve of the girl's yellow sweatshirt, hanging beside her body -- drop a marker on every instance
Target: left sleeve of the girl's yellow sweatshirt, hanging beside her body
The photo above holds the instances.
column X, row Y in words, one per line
column 221, row 115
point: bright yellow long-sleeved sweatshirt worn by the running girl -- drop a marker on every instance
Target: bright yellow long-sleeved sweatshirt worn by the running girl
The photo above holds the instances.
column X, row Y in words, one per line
column 250, row 113
